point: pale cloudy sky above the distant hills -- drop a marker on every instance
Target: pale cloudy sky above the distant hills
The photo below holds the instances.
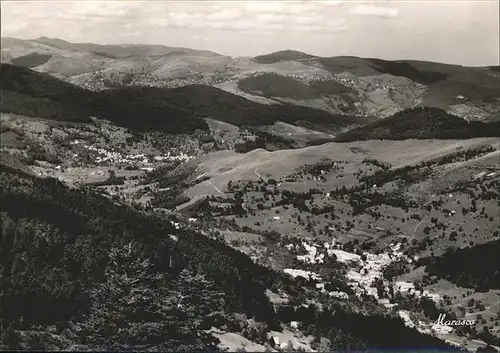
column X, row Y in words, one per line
column 460, row 32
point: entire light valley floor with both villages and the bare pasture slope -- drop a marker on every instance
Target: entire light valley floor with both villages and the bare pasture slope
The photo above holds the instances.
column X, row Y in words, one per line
column 358, row 221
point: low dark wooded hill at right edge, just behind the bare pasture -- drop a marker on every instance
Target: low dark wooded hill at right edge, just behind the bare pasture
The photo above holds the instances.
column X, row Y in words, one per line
column 421, row 123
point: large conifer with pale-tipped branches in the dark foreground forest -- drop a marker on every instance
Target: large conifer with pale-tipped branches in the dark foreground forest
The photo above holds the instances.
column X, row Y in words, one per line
column 135, row 308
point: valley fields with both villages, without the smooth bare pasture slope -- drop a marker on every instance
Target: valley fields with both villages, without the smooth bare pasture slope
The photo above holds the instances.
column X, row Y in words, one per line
column 350, row 230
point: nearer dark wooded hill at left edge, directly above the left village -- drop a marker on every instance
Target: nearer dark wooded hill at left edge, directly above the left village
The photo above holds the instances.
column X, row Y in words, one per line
column 35, row 94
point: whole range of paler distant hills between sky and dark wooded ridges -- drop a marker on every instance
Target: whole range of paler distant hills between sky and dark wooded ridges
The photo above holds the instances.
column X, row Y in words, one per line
column 374, row 87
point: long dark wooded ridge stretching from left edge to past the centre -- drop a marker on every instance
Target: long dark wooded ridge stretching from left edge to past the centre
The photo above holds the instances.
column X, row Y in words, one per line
column 181, row 109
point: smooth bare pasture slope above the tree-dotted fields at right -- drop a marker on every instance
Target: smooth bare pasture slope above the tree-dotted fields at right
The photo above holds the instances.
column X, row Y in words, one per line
column 223, row 166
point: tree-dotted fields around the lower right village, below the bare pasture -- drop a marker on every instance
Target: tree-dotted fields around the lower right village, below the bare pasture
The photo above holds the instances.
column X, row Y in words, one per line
column 345, row 249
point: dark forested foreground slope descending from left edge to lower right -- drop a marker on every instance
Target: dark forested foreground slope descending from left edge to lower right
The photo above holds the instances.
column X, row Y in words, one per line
column 80, row 271
